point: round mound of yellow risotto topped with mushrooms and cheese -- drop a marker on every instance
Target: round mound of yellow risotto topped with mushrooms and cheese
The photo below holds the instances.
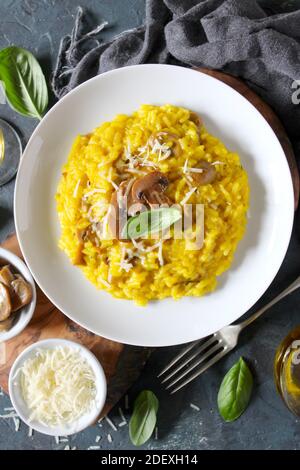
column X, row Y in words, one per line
column 162, row 155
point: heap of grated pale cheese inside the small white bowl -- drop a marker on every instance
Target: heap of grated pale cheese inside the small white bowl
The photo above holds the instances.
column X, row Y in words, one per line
column 57, row 385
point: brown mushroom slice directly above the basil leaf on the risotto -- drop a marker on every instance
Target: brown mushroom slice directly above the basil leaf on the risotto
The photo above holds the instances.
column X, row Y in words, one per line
column 150, row 189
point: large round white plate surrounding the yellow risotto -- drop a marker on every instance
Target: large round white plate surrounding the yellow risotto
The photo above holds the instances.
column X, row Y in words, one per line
column 227, row 115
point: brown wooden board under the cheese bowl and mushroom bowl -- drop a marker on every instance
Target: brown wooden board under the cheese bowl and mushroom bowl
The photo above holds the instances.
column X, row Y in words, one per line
column 122, row 364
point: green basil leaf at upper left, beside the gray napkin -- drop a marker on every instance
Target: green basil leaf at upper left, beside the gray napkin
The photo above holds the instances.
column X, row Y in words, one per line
column 23, row 82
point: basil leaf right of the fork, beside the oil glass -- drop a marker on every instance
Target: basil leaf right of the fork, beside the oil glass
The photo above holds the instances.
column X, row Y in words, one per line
column 235, row 391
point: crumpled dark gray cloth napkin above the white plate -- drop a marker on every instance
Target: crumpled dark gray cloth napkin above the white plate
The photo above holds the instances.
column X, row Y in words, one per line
column 236, row 36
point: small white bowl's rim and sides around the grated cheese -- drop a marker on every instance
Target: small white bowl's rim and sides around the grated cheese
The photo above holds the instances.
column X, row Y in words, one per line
column 21, row 407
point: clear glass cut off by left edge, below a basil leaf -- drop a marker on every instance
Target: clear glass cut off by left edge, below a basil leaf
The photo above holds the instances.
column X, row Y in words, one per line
column 10, row 152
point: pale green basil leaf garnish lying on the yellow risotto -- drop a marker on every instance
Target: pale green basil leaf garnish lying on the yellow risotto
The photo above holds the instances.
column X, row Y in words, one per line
column 151, row 221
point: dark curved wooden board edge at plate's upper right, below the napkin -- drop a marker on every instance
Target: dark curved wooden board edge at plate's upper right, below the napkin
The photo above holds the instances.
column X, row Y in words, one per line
column 269, row 116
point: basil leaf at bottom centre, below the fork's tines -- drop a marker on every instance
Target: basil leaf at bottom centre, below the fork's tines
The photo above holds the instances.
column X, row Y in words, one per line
column 143, row 419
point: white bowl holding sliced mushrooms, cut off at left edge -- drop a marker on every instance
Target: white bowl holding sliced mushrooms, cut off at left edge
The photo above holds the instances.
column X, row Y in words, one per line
column 23, row 317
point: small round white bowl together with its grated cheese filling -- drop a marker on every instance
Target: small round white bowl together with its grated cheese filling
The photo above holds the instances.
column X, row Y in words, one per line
column 58, row 386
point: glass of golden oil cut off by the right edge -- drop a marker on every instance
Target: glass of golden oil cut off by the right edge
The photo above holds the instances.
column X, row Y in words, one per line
column 287, row 370
